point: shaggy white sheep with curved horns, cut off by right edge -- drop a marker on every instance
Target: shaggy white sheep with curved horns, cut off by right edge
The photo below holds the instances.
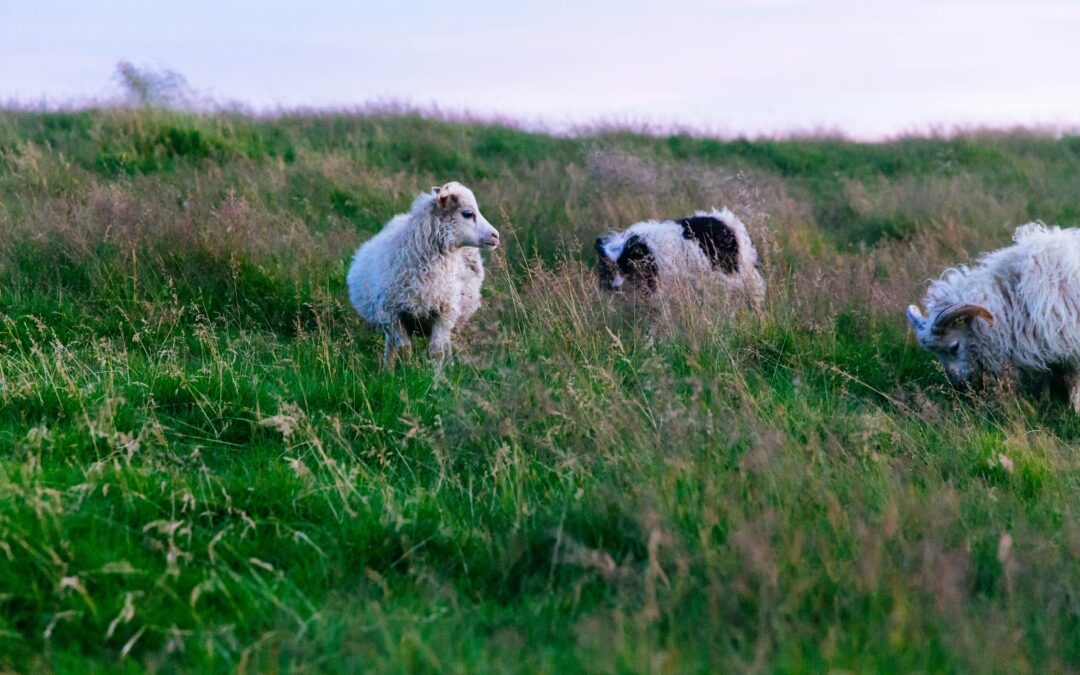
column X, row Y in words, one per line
column 1018, row 312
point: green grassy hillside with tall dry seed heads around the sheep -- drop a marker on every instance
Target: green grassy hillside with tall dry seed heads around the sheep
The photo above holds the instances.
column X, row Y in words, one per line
column 202, row 466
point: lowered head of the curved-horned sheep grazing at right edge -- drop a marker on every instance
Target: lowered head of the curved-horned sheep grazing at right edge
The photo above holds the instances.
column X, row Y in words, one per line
column 950, row 337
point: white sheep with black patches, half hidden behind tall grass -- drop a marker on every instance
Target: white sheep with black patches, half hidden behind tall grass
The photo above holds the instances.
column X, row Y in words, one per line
column 653, row 255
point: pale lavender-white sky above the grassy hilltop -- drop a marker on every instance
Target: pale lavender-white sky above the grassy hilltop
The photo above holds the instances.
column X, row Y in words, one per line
column 867, row 69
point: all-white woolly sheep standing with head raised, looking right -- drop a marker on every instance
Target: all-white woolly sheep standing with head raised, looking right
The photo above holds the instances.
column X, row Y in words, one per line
column 423, row 273
